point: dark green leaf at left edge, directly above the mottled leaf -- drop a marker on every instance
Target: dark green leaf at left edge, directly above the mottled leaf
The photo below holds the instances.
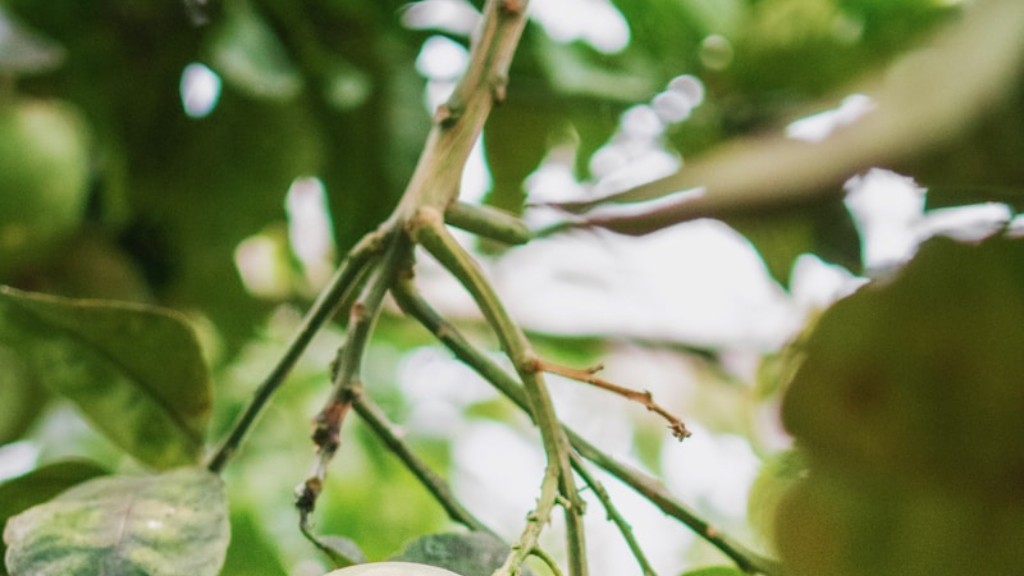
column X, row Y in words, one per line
column 137, row 373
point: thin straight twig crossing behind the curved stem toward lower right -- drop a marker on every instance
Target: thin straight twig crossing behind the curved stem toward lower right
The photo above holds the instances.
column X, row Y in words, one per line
column 414, row 305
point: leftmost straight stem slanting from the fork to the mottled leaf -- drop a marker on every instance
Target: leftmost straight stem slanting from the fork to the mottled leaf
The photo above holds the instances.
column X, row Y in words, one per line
column 347, row 281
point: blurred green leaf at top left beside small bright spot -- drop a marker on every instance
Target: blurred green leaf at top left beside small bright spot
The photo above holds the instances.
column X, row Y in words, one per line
column 248, row 54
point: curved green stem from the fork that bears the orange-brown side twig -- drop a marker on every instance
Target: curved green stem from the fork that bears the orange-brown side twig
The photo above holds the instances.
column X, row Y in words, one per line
column 429, row 229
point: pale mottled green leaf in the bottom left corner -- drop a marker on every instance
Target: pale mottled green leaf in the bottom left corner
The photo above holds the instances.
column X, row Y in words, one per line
column 165, row 525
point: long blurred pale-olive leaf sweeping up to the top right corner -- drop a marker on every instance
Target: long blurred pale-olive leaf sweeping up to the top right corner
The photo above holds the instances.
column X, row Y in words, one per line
column 917, row 106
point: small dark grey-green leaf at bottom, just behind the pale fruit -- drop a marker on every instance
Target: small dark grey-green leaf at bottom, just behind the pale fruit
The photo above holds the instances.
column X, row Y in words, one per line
column 470, row 555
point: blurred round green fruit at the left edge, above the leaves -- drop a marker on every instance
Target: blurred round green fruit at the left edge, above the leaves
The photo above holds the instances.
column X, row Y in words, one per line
column 45, row 170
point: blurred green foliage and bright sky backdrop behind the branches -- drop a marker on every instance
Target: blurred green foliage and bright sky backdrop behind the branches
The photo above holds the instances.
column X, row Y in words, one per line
column 339, row 92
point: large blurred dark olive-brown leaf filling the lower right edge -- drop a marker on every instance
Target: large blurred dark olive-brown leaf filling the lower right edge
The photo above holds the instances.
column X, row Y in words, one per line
column 900, row 381
